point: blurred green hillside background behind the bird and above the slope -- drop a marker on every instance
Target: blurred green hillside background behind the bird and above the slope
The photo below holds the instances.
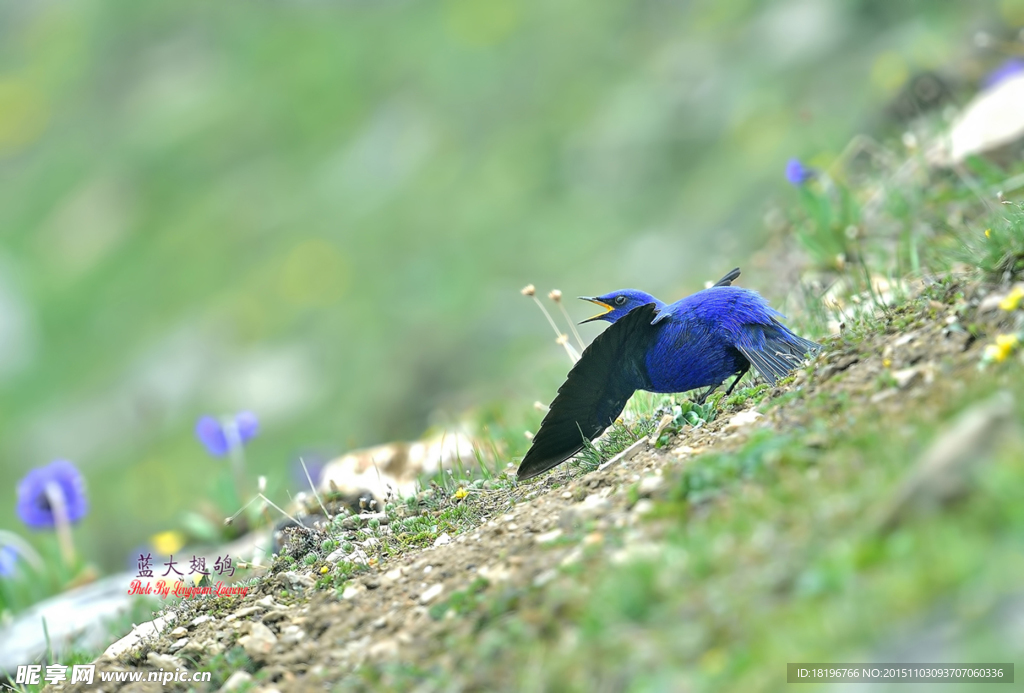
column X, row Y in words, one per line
column 323, row 212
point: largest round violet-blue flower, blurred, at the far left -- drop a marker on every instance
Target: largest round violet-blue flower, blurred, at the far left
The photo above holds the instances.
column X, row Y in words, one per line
column 59, row 483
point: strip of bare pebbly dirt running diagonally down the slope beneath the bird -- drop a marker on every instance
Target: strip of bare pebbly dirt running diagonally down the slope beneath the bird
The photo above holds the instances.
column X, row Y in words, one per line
column 305, row 639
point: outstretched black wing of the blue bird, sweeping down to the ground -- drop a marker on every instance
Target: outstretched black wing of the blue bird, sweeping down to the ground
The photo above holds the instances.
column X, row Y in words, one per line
column 611, row 370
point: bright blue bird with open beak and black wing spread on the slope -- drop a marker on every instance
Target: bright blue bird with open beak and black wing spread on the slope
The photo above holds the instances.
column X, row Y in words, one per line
column 697, row 342
